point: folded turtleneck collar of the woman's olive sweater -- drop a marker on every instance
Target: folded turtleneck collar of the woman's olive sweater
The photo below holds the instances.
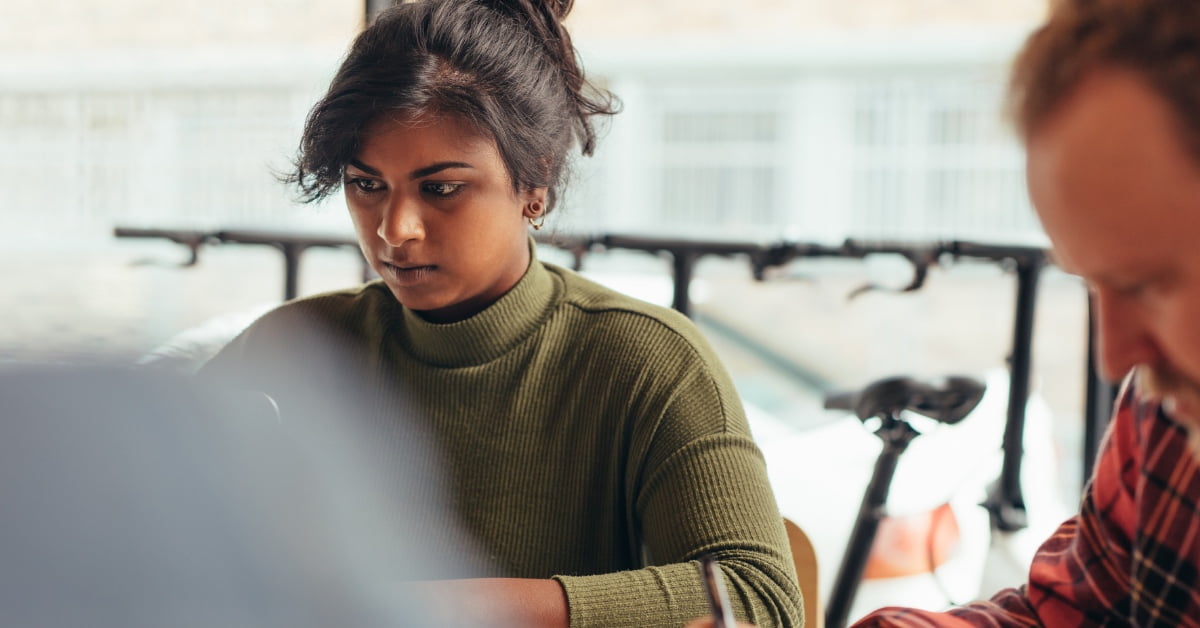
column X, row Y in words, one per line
column 490, row 333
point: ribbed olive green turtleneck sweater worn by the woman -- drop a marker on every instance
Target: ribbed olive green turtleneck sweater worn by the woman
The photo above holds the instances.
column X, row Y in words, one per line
column 587, row 438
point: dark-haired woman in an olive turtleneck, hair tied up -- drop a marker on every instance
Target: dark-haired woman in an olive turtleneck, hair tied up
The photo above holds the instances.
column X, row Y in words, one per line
column 595, row 448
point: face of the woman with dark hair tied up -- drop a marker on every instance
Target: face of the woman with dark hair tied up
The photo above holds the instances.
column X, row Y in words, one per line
column 437, row 217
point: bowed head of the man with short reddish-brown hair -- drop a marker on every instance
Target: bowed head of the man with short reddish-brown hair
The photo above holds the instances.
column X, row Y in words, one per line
column 1107, row 98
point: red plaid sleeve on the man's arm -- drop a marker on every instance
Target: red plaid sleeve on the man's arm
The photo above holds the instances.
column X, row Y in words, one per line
column 1079, row 576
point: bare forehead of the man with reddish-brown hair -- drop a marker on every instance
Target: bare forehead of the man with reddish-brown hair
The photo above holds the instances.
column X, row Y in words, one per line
column 1115, row 188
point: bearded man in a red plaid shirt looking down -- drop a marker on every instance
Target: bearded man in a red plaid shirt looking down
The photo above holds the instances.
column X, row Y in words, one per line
column 1107, row 98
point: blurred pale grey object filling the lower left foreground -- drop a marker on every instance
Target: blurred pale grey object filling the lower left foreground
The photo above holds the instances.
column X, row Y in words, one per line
column 142, row 499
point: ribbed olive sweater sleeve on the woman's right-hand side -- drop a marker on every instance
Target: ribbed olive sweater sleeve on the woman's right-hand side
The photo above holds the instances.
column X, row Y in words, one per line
column 701, row 489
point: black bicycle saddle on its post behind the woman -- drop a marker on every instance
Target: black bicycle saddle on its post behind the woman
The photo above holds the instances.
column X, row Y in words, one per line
column 947, row 400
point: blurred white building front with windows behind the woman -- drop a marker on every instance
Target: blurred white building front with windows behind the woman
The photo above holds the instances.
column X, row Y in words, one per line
column 875, row 135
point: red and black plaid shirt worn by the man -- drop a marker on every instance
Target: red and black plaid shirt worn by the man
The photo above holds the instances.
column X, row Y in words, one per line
column 1130, row 558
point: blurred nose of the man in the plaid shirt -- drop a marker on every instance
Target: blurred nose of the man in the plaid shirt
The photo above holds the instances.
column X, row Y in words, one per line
column 1123, row 336
